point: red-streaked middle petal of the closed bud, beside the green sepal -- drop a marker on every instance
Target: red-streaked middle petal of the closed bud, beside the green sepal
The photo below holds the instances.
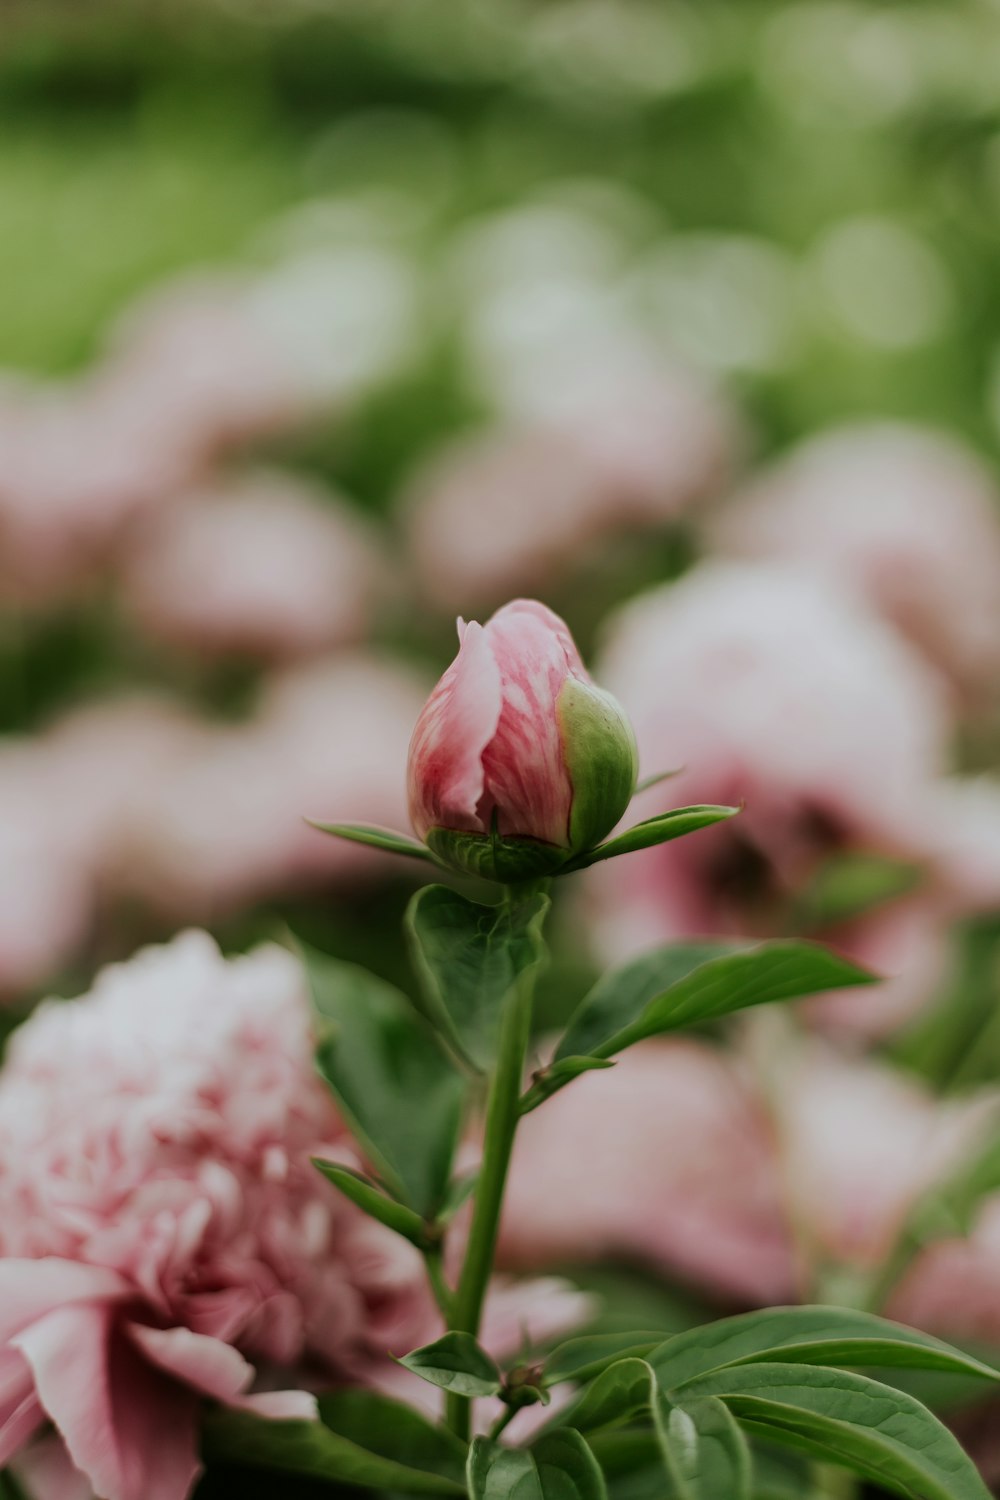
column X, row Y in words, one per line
column 527, row 778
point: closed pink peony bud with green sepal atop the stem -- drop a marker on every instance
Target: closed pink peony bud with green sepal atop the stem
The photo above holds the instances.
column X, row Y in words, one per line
column 518, row 761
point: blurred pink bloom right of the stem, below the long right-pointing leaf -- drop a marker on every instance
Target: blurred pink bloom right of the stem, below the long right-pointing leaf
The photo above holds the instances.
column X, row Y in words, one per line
column 665, row 1159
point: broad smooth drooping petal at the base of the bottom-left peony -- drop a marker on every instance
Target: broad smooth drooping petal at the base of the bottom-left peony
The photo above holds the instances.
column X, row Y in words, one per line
column 127, row 1427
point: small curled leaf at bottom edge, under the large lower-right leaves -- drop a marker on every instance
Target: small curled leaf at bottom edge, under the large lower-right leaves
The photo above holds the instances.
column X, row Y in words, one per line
column 705, row 1454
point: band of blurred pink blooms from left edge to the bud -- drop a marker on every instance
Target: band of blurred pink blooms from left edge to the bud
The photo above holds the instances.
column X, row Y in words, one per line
column 143, row 800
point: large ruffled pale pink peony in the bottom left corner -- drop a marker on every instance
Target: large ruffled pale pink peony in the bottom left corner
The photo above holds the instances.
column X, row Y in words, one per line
column 164, row 1235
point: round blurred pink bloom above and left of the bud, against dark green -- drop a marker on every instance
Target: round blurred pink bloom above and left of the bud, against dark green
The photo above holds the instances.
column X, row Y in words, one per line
column 268, row 566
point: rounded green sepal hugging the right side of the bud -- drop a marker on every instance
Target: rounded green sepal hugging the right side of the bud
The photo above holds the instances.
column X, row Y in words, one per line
column 602, row 758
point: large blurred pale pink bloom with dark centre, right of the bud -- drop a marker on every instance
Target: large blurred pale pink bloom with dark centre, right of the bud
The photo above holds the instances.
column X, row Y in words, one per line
column 776, row 691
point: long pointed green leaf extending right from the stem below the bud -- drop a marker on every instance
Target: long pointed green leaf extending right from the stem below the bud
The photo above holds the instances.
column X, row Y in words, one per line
column 684, row 985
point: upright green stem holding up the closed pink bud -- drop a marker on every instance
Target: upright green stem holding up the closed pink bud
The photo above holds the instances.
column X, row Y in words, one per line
column 503, row 1112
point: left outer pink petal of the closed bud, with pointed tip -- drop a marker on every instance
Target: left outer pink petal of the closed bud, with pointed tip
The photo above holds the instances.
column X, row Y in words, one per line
column 446, row 754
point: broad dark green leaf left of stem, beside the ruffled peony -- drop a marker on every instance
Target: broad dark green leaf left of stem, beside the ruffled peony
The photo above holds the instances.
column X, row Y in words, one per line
column 397, row 1088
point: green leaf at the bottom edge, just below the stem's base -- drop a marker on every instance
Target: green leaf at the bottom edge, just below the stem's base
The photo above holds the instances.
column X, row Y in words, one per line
column 560, row 1466
